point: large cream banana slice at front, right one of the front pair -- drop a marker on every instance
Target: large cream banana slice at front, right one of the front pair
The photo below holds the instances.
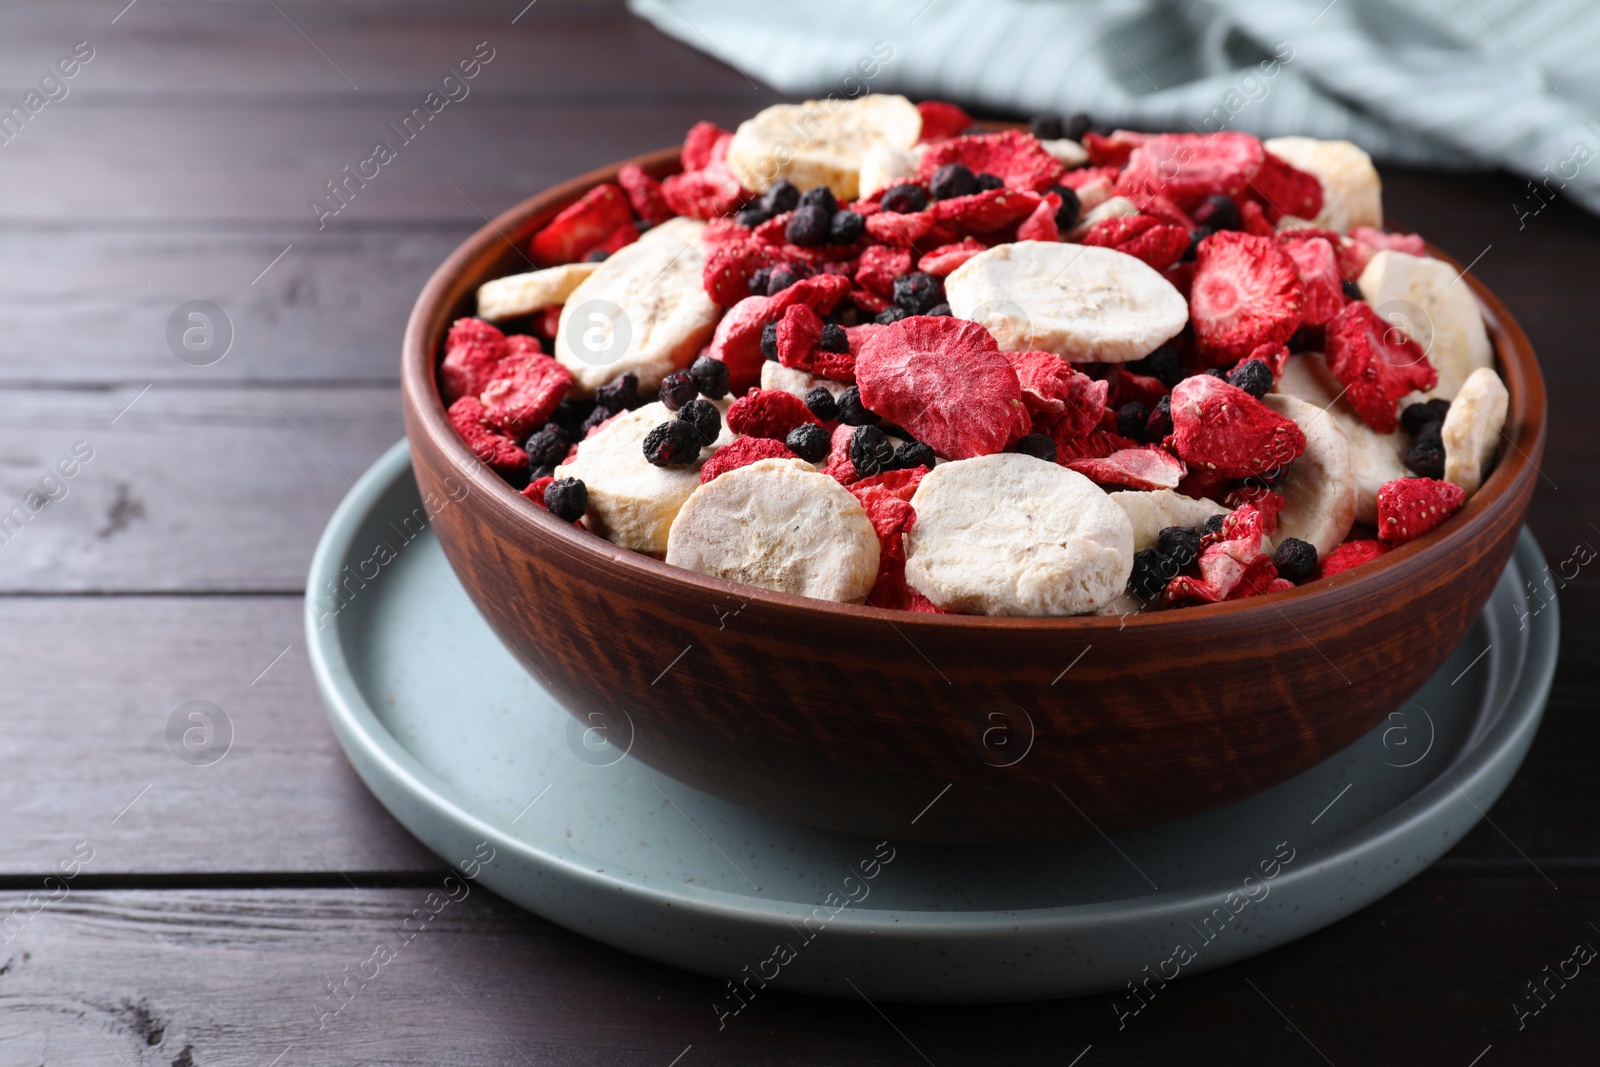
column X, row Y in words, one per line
column 1017, row 537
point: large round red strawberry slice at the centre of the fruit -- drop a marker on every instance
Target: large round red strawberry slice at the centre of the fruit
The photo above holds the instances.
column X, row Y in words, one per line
column 946, row 382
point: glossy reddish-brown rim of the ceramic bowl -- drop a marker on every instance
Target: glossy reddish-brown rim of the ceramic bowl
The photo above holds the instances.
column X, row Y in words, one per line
column 1514, row 361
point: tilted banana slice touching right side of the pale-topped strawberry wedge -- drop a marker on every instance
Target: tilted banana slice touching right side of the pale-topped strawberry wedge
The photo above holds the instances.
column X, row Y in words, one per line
column 1319, row 489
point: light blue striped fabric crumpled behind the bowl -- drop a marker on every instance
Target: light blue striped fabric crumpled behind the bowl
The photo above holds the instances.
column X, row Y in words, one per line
column 1466, row 84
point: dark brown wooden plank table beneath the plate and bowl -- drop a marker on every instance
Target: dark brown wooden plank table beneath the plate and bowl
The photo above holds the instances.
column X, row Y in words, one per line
column 214, row 905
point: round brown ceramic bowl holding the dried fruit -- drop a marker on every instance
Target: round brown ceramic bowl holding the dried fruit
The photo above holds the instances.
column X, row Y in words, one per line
column 951, row 729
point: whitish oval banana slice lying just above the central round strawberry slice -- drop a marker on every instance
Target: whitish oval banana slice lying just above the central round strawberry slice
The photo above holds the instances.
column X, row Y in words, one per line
column 1079, row 302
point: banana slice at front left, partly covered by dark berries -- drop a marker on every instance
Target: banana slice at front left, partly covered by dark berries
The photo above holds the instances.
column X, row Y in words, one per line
column 633, row 502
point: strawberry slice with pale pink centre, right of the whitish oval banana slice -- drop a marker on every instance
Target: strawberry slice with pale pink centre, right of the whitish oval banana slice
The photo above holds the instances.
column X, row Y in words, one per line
column 1246, row 294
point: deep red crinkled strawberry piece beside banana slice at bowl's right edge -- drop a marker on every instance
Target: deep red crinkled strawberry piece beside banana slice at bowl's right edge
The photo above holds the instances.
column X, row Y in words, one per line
column 1377, row 364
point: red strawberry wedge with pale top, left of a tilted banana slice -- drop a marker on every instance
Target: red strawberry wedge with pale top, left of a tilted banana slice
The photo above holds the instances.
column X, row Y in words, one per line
column 1225, row 430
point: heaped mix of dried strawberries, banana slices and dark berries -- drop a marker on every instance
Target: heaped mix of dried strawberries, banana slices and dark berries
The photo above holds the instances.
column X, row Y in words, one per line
column 863, row 351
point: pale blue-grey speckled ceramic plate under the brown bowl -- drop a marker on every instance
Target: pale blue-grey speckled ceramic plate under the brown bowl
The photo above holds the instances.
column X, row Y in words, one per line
column 490, row 773
